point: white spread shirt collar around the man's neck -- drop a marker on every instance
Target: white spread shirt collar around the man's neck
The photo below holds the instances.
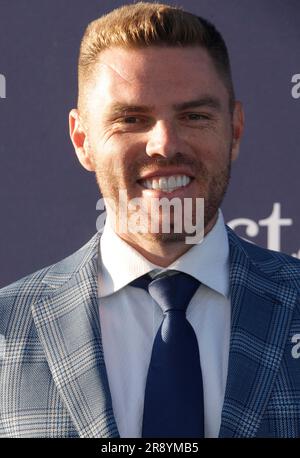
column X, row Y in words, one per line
column 208, row 261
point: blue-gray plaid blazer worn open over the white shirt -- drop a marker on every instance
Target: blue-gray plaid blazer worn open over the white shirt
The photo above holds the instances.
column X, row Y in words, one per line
column 53, row 381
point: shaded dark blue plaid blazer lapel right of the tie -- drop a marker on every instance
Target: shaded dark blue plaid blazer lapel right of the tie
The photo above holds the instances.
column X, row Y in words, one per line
column 261, row 313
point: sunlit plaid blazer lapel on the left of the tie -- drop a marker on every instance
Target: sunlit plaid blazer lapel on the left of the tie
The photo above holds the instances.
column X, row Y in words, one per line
column 67, row 322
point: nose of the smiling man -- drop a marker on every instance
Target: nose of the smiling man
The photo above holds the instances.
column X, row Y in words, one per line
column 163, row 140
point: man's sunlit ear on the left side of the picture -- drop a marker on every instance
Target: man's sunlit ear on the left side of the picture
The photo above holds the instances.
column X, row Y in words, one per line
column 80, row 142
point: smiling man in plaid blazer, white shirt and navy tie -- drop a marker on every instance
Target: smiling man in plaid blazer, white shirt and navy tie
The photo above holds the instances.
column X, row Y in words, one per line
column 82, row 339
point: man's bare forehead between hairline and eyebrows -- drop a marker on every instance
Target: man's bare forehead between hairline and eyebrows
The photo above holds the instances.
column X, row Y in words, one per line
column 156, row 74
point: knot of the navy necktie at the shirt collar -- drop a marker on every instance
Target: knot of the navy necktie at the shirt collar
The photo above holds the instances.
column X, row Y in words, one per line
column 171, row 292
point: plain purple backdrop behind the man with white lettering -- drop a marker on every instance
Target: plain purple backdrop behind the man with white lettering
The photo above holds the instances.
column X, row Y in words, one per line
column 48, row 202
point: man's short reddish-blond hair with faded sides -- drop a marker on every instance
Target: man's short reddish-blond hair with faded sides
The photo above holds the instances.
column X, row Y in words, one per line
column 141, row 25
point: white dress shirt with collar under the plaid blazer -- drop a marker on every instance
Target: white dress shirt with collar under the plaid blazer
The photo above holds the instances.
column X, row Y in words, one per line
column 130, row 319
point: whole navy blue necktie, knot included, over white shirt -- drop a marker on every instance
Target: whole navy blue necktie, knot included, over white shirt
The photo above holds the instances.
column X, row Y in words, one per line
column 173, row 405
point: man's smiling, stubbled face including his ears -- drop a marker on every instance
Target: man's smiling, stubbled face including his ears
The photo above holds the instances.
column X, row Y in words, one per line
column 158, row 124
